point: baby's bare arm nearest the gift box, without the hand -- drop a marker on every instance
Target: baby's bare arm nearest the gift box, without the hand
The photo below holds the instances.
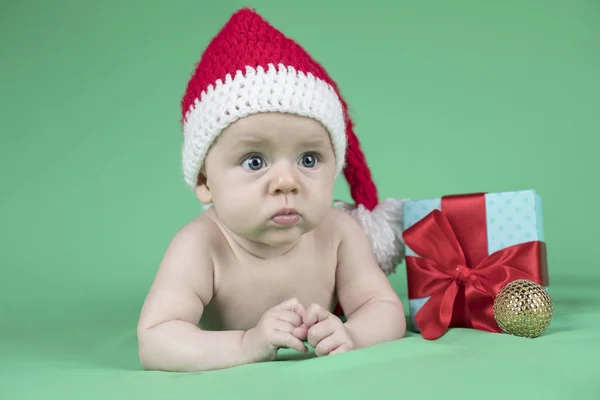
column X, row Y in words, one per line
column 373, row 310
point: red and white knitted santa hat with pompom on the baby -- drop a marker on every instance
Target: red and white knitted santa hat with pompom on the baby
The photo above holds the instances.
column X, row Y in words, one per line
column 251, row 67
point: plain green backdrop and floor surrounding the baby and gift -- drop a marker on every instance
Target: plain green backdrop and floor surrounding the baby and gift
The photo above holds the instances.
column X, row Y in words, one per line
column 448, row 97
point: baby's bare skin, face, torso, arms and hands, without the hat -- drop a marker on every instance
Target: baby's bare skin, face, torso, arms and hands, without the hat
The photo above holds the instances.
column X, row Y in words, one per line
column 235, row 285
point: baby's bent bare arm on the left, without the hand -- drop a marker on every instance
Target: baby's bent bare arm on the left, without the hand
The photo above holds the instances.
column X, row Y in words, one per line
column 168, row 336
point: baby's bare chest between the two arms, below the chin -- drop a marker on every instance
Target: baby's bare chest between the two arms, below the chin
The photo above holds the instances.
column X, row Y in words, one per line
column 246, row 287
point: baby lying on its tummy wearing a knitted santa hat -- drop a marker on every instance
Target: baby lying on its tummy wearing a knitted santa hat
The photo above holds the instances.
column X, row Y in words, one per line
column 266, row 134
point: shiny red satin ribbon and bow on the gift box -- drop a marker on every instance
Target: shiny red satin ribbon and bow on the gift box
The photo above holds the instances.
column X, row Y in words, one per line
column 454, row 267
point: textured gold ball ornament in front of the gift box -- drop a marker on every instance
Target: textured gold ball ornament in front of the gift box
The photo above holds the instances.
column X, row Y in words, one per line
column 523, row 308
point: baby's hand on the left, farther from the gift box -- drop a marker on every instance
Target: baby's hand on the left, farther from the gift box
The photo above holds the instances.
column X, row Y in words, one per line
column 281, row 326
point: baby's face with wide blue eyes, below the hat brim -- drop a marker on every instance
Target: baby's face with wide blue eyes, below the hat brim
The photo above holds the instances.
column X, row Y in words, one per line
column 265, row 164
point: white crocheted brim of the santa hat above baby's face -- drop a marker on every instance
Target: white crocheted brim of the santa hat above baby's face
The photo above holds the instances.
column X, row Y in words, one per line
column 252, row 91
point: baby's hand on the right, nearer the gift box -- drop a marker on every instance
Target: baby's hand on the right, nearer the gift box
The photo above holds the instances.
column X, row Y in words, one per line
column 326, row 332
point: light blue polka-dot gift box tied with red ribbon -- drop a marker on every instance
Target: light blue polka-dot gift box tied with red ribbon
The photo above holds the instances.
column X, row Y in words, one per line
column 462, row 249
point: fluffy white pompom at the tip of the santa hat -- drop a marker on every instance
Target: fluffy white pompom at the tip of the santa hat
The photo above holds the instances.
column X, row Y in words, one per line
column 383, row 226
